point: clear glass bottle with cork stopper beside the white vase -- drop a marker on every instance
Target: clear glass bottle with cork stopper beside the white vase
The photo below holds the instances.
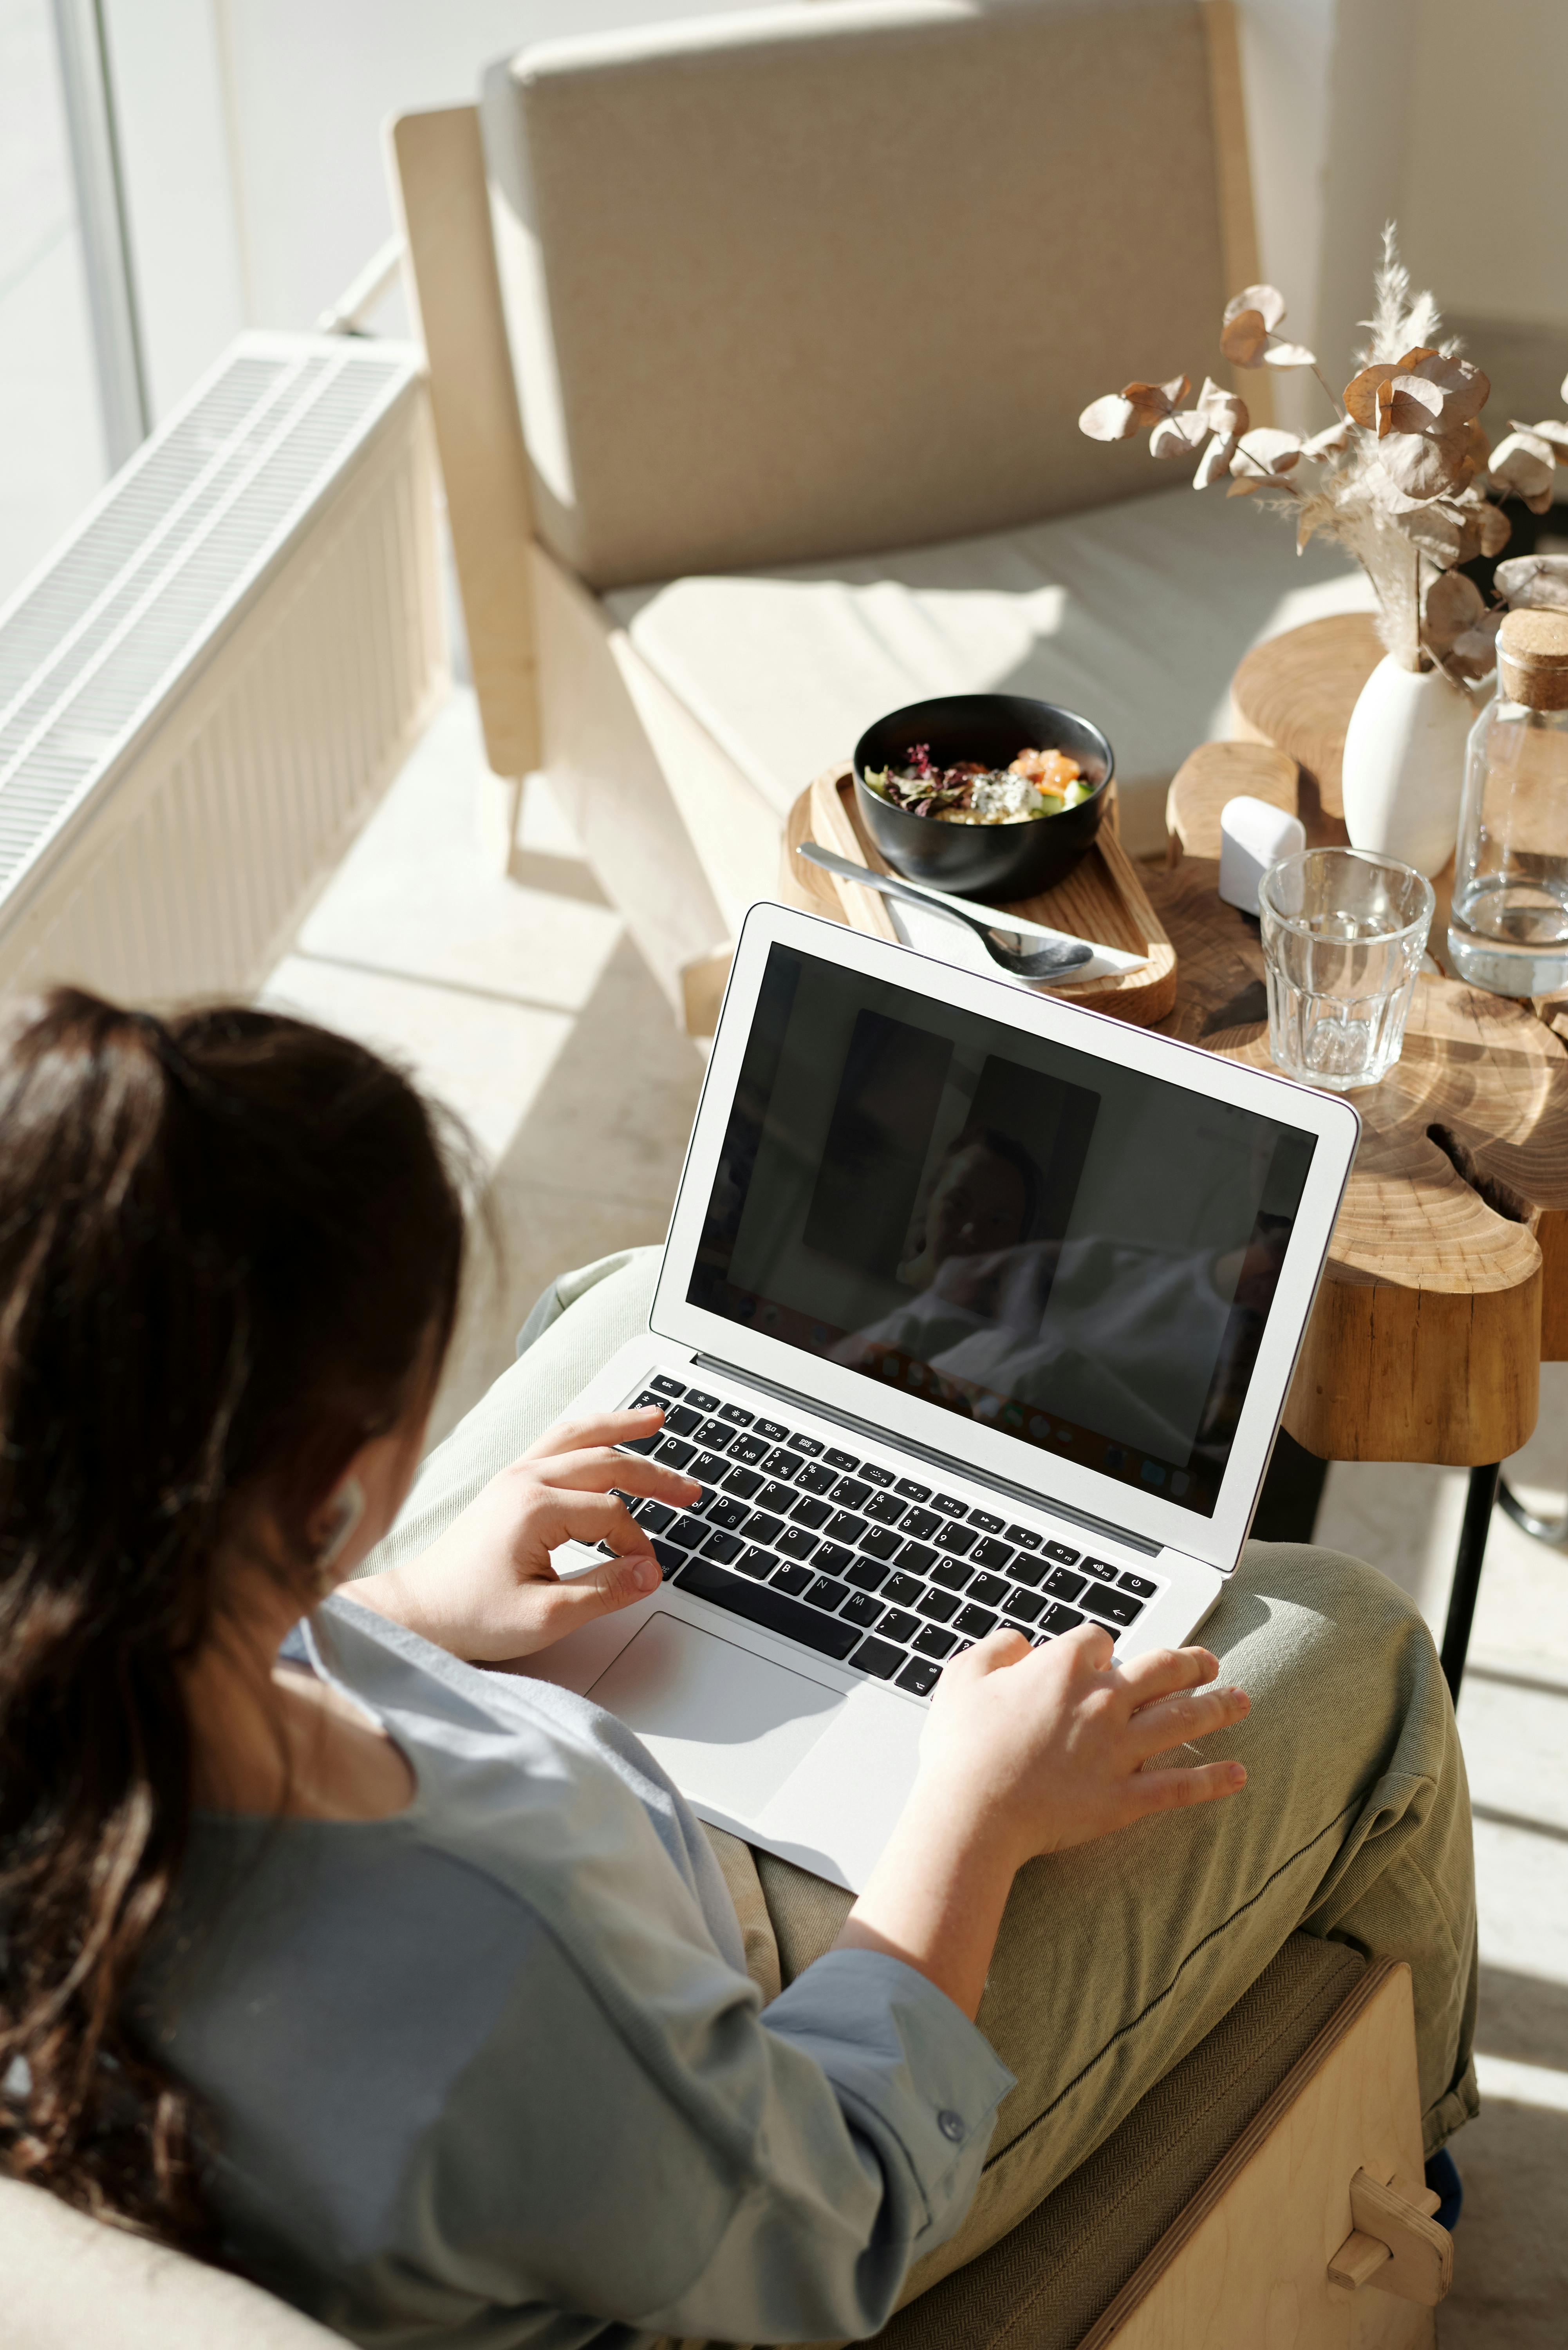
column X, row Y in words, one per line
column 1510, row 878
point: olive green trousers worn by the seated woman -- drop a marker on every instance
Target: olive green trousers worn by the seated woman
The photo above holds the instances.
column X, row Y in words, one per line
column 1123, row 1956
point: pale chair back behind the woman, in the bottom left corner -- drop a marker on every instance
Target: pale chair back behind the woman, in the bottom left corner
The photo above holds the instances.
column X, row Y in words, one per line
column 69, row 2283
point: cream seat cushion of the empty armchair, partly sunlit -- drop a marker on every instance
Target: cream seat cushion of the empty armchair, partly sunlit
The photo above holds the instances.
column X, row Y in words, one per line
column 1134, row 615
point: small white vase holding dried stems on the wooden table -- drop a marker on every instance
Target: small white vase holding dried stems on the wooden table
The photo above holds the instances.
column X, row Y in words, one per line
column 1405, row 765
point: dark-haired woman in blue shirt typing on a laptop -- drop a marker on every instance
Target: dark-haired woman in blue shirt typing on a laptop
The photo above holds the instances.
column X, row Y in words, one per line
column 415, row 1989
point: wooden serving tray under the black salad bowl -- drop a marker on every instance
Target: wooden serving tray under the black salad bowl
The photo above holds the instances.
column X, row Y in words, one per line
column 1101, row 899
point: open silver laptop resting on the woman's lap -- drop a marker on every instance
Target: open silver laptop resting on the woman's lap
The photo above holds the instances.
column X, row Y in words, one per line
column 977, row 1310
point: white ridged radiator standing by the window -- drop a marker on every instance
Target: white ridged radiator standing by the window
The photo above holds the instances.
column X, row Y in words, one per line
column 208, row 687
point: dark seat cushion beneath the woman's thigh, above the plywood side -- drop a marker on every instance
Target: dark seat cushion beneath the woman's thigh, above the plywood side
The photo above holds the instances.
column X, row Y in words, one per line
column 1047, row 2281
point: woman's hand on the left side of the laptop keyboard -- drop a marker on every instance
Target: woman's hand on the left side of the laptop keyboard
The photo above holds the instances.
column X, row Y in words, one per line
column 488, row 1590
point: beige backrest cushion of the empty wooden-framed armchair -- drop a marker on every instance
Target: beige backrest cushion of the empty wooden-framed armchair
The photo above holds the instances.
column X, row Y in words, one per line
column 843, row 276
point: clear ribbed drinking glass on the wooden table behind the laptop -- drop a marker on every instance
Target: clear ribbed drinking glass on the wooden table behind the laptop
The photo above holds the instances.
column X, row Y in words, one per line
column 1343, row 939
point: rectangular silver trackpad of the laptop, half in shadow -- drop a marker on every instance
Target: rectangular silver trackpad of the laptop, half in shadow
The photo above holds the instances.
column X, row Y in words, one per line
column 725, row 1724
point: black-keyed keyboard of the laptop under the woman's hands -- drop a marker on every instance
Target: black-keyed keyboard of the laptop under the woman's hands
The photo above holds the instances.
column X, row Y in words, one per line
column 878, row 1571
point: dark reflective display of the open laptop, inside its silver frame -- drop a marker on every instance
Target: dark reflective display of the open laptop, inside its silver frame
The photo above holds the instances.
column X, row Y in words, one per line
column 1019, row 1233
